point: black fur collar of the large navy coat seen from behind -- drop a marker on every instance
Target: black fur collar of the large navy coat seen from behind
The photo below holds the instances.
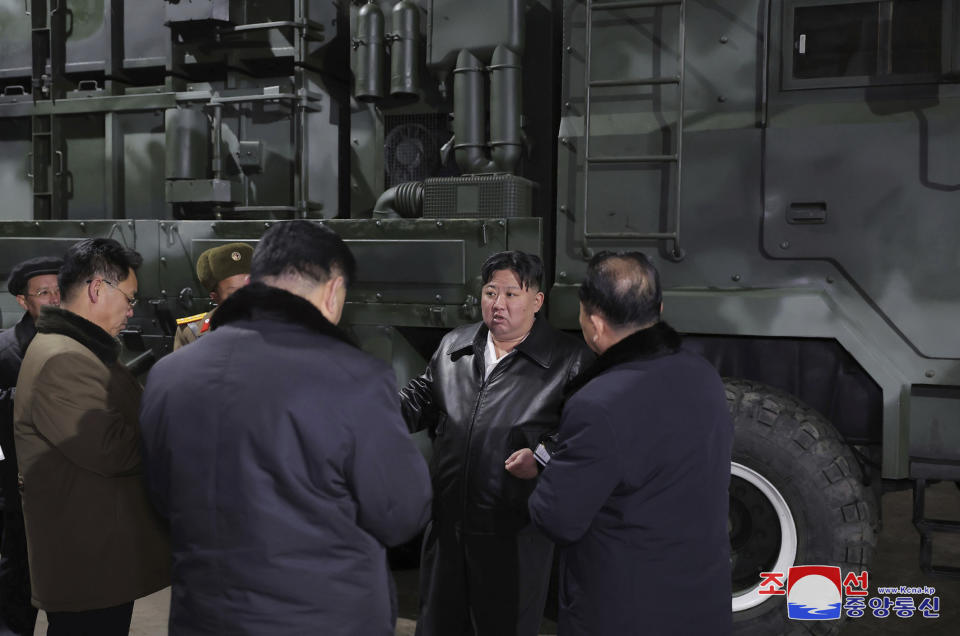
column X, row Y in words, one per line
column 258, row 301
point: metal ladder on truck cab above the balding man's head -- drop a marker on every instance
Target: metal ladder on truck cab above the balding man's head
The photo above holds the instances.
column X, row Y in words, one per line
column 674, row 159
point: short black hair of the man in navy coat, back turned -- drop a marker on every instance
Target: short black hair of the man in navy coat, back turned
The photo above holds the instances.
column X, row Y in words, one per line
column 302, row 248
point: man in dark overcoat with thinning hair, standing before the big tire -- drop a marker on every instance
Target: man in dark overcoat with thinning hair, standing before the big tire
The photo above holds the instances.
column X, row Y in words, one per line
column 636, row 491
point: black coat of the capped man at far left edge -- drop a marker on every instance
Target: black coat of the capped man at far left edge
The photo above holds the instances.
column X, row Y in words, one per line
column 13, row 344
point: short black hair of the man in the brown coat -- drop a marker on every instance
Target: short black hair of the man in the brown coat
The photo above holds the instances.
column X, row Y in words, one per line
column 95, row 258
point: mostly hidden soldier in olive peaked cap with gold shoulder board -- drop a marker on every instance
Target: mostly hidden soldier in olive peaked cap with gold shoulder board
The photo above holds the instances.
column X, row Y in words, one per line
column 222, row 270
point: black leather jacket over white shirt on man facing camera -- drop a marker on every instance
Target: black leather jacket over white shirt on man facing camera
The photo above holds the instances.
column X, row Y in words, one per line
column 476, row 423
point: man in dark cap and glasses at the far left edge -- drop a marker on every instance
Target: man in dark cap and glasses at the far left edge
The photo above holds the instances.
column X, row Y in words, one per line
column 34, row 284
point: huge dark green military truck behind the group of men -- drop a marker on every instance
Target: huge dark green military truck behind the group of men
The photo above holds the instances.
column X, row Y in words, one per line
column 789, row 165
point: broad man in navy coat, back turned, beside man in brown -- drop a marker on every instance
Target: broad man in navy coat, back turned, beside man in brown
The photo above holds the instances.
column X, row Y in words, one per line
column 276, row 450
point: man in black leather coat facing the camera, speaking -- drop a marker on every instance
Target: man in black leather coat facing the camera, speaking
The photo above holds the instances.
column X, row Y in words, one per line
column 490, row 393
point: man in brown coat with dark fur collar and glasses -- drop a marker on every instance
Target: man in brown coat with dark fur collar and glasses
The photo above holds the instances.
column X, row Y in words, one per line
column 94, row 542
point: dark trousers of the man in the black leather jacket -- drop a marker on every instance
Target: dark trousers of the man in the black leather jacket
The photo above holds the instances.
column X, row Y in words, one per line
column 483, row 584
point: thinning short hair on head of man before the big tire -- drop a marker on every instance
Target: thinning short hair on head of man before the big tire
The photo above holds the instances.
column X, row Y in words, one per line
column 624, row 287
